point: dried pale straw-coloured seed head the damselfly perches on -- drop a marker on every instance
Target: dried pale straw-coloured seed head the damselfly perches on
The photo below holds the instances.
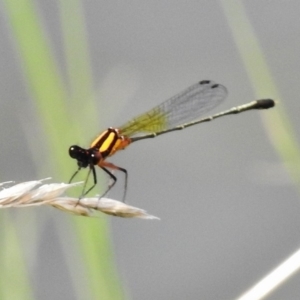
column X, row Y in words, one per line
column 31, row 193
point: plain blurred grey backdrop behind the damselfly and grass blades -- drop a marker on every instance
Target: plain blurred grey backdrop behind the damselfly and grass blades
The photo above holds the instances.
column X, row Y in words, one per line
column 229, row 212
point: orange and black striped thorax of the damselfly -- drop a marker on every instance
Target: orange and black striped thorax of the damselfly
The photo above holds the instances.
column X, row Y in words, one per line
column 109, row 142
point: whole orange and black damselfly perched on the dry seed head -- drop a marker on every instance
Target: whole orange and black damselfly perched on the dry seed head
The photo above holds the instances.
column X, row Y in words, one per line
column 181, row 111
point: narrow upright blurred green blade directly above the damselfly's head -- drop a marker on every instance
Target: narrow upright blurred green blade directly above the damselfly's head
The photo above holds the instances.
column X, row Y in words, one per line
column 78, row 66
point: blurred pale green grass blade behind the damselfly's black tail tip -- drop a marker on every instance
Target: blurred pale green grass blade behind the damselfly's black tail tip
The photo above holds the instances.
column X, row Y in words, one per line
column 277, row 122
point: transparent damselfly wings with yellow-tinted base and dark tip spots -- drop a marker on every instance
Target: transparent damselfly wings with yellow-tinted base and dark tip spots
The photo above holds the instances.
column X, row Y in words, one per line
column 182, row 108
